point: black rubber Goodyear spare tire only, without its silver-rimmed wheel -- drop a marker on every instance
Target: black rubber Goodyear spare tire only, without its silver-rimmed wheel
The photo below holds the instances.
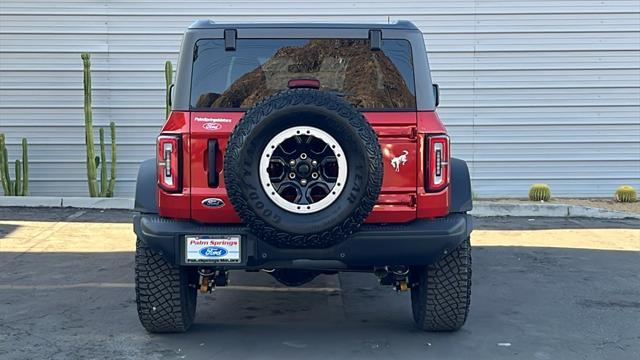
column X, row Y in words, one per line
column 279, row 113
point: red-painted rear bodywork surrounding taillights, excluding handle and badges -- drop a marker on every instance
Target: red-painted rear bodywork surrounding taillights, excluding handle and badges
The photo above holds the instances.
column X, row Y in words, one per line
column 402, row 199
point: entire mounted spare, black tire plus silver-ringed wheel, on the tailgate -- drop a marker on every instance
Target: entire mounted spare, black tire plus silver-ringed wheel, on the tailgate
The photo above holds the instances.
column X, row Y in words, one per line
column 303, row 168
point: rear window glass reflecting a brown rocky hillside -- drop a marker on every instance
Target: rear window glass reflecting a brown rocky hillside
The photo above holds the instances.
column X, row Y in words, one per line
column 261, row 67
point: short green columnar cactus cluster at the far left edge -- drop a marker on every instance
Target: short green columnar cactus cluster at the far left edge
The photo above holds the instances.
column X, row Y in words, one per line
column 19, row 187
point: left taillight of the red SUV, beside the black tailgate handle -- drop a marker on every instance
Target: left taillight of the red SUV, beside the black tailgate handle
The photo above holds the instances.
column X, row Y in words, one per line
column 169, row 163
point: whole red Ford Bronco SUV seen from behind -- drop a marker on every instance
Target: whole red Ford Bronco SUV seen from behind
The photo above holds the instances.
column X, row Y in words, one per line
column 303, row 149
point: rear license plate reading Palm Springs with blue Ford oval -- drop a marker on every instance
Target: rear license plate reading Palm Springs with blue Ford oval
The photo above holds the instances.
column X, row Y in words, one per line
column 219, row 249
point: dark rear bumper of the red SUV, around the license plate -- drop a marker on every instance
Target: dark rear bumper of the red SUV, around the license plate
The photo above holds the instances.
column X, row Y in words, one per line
column 420, row 242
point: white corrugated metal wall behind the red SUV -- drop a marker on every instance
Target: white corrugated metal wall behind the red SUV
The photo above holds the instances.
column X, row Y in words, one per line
column 532, row 91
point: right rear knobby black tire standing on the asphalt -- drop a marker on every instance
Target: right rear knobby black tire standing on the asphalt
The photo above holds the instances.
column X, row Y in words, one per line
column 441, row 292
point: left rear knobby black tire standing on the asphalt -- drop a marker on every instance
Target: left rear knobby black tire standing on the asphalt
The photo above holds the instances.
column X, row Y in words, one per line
column 165, row 295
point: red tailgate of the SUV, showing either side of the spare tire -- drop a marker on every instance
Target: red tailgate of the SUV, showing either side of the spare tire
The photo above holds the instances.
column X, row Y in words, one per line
column 396, row 133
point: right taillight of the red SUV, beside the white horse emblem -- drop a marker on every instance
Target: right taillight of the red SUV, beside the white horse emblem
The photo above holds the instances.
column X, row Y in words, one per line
column 437, row 174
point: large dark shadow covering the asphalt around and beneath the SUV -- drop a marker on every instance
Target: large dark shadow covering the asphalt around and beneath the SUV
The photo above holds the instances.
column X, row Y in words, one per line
column 527, row 302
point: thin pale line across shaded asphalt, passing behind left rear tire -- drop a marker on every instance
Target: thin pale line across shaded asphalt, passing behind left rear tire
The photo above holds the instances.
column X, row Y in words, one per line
column 131, row 285
